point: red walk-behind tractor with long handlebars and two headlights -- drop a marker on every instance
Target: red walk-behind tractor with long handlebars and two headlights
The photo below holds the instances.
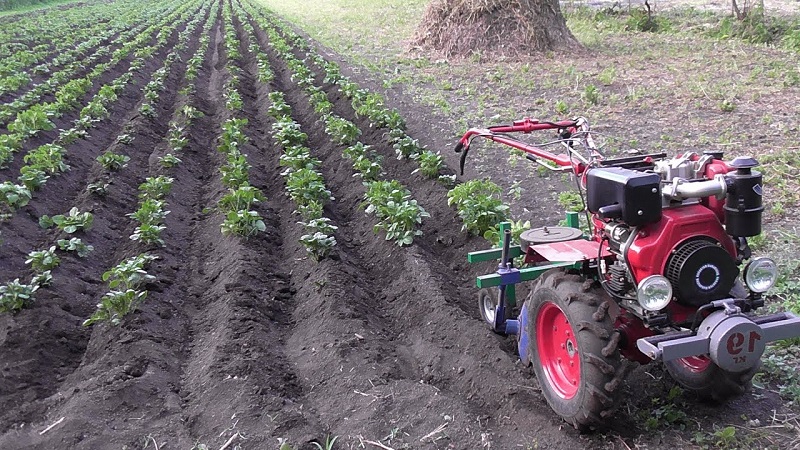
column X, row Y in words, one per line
column 663, row 273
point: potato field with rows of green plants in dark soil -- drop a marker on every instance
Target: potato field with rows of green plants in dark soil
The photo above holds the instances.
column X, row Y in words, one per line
column 213, row 236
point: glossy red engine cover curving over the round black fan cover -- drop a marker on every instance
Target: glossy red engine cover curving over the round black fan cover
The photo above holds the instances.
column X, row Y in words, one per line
column 652, row 247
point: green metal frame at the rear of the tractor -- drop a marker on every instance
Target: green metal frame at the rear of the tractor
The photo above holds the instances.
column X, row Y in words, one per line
column 526, row 274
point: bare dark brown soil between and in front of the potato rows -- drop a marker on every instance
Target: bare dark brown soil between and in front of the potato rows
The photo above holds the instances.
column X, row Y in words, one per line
column 251, row 341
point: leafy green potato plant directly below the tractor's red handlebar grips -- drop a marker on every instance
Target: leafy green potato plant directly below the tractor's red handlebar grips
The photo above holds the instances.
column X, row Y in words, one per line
column 479, row 205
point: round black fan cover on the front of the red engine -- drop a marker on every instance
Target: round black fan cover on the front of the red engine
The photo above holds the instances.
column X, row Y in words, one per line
column 701, row 271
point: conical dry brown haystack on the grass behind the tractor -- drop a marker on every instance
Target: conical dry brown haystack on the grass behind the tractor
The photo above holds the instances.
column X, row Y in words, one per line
column 494, row 28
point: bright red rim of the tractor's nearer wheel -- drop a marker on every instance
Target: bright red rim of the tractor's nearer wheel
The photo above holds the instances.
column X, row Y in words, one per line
column 558, row 350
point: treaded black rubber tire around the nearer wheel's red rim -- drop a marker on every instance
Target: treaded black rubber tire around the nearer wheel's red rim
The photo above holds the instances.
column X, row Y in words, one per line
column 585, row 306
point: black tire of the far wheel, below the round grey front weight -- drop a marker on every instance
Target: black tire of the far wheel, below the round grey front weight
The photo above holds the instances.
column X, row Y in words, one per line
column 712, row 384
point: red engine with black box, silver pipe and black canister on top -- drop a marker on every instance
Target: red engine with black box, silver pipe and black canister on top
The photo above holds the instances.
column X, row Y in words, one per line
column 683, row 221
